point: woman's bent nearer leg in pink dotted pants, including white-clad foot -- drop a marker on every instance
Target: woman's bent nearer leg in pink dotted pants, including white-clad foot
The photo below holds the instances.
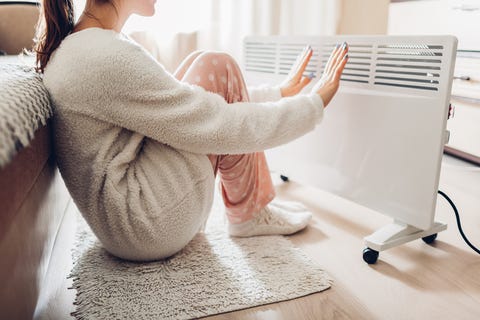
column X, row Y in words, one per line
column 245, row 180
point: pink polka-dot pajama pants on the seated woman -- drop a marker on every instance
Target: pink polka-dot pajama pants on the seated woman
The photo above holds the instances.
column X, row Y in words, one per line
column 245, row 181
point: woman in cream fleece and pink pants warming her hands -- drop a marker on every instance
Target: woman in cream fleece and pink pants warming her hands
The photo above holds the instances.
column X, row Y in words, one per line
column 139, row 149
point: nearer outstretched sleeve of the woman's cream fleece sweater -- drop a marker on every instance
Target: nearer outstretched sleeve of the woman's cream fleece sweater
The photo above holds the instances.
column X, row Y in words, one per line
column 137, row 93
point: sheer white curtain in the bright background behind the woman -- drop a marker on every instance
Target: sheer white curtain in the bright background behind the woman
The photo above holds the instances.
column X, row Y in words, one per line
column 180, row 26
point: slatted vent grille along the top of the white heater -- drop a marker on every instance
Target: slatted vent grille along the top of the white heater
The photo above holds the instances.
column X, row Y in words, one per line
column 404, row 65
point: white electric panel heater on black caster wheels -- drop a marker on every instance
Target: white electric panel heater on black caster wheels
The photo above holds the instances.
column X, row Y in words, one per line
column 381, row 141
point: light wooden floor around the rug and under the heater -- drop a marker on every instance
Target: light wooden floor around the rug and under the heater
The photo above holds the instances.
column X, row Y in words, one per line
column 413, row 281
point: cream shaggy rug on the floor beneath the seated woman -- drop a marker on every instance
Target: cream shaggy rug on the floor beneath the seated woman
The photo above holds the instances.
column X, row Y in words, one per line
column 213, row 274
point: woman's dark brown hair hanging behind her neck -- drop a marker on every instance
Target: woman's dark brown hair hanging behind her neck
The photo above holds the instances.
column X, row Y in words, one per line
column 57, row 21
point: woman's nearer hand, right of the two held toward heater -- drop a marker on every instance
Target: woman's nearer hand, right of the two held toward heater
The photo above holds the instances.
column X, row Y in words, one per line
column 328, row 85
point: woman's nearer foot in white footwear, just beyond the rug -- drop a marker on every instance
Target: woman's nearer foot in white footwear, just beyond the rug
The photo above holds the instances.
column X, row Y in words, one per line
column 273, row 220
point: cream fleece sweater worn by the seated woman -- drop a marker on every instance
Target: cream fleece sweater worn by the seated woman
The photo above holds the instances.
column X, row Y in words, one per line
column 131, row 141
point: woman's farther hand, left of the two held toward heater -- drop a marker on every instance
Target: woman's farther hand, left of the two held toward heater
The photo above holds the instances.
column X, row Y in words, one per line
column 296, row 81
